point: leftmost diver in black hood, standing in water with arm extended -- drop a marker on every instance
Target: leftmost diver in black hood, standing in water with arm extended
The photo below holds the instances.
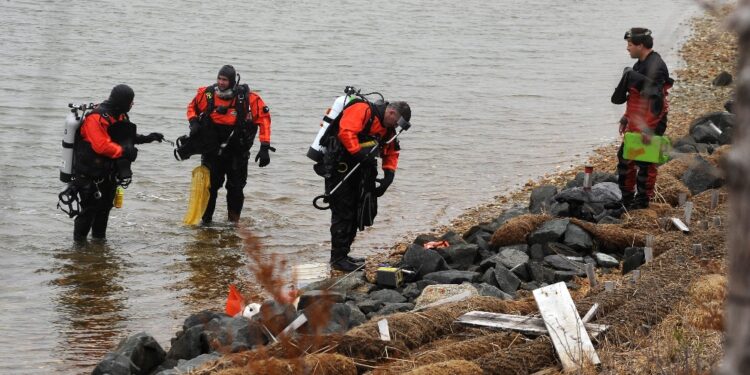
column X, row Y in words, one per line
column 103, row 150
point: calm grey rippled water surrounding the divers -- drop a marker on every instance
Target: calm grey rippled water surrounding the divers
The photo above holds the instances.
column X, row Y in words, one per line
column 501, row 91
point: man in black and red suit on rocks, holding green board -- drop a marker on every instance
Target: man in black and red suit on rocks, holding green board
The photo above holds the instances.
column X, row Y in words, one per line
column 644, row 89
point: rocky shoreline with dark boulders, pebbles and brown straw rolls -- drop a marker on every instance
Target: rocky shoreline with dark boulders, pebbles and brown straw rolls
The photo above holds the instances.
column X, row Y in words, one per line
column 492, row 256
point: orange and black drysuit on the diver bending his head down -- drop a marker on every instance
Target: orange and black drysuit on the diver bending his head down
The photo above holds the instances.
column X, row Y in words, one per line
column 354, row 203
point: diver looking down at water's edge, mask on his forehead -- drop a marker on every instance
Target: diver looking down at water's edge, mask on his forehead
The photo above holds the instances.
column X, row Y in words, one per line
column 361, row 126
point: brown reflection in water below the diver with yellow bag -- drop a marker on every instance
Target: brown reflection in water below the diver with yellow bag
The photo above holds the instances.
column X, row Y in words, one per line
column 213, row 260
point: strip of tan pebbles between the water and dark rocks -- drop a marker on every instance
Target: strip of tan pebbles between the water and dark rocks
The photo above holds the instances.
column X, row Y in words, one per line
column 688, row 101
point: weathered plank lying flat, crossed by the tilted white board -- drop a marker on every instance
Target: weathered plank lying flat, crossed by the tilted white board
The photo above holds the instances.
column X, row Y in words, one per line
column 525, row 324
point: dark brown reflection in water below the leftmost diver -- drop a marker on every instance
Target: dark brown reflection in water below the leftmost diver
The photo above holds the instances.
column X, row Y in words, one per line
column 91, row 301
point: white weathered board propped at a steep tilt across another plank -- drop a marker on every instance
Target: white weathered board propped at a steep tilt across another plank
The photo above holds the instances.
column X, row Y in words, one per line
column 565, row 327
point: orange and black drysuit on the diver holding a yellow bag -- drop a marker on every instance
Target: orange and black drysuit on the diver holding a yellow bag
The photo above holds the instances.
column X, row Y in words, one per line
column 231, row 121
